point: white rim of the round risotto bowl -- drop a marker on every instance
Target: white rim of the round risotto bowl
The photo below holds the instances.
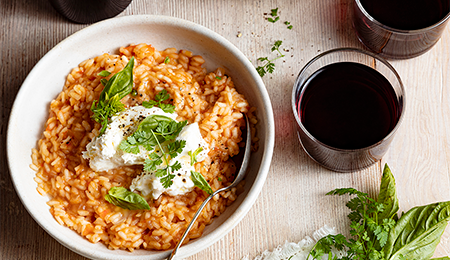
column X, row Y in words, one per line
column 268, row 139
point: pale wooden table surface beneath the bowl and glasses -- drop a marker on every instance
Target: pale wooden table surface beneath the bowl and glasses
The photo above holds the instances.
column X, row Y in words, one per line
column 292, row 203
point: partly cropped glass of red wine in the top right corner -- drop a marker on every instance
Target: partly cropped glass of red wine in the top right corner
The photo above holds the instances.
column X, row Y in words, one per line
column 406, row 15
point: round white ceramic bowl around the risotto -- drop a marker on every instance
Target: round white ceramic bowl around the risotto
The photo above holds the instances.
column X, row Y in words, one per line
column 47, row 78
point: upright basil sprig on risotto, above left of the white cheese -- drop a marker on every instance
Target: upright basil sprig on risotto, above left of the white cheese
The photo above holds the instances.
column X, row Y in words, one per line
column 117, row 87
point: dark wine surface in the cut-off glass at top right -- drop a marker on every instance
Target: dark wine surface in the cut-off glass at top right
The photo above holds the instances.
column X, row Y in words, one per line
column 407, row 14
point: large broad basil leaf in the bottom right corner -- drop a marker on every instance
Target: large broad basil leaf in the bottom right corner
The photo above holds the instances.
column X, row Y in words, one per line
column 418, row 232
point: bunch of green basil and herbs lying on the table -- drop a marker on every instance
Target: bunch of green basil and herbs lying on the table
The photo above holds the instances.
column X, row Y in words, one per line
column 377, row 231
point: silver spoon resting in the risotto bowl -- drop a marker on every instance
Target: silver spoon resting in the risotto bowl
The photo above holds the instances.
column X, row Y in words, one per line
column 236, row 181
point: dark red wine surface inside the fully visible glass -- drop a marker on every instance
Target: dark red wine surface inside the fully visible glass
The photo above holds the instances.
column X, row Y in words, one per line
column 348, row 106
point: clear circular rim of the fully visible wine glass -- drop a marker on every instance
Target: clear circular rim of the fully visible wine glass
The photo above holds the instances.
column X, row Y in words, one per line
column 364, row 52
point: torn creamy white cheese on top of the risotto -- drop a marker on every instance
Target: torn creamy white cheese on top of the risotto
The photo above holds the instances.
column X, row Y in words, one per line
column 104, row 154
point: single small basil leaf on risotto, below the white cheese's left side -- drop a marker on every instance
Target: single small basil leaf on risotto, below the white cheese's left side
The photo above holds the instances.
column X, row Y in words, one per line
column 126, row 199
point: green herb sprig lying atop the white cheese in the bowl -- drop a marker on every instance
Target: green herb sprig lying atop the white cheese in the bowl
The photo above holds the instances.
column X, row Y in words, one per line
column 153, row 130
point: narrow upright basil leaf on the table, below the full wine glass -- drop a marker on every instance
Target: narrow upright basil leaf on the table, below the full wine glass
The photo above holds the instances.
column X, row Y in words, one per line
column 388, row 196
